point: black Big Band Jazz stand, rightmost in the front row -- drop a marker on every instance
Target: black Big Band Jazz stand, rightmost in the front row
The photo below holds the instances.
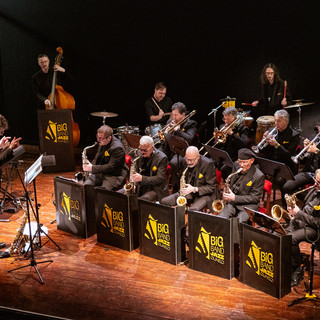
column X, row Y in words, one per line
column 265, row 261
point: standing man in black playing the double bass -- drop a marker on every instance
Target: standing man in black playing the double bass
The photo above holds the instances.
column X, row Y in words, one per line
column 42, row 80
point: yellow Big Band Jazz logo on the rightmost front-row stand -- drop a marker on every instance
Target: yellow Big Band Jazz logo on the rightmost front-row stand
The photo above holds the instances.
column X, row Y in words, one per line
column 261, row 261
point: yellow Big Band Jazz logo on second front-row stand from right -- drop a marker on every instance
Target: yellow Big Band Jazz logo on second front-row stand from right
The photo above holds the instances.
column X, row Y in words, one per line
column 211, row 246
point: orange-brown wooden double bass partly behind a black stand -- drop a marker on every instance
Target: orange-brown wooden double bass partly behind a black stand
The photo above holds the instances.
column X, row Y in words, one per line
column 60, row 99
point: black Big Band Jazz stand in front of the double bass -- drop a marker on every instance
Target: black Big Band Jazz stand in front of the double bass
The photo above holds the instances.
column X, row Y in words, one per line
column 56, row 138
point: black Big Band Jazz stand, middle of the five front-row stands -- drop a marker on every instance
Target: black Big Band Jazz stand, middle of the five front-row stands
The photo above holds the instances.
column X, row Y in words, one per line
column 161, row 231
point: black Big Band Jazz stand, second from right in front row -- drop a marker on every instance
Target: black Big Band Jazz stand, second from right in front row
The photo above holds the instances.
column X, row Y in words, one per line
column 211, row 244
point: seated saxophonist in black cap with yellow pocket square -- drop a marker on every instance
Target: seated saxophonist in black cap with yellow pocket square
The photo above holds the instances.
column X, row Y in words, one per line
column 245, row 189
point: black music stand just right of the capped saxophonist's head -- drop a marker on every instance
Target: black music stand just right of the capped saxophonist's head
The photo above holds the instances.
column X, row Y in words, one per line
column 274, row 168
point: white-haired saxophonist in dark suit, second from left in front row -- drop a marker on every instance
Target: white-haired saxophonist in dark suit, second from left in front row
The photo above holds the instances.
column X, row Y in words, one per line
column 150, row 171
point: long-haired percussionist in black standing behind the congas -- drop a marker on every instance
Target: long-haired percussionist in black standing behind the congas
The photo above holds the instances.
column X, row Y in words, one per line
column 274, row 94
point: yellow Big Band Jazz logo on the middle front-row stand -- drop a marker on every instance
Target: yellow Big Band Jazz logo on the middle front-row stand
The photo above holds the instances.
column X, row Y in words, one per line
column 158, row 233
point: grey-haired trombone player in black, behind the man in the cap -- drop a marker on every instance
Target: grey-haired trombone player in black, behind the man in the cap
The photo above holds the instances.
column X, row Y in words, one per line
column 237, row 138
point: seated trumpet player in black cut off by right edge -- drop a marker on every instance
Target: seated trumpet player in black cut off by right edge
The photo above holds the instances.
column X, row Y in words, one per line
column 311, row 163
